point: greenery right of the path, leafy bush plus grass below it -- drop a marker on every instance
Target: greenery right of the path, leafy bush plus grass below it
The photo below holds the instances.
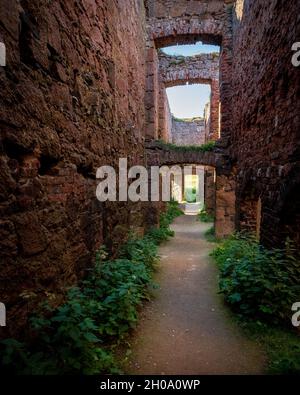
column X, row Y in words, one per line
column 261, row 285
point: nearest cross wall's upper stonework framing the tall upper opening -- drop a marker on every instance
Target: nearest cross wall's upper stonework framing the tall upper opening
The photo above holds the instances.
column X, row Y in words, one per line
column 186, row 22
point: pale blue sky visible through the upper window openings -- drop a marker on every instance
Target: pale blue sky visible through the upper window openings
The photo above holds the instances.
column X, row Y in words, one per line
column 188, row 101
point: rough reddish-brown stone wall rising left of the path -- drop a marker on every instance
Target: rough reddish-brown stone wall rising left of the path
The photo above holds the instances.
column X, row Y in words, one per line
column 72, row 99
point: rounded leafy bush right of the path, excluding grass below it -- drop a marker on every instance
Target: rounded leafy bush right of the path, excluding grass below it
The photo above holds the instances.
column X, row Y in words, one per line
column 258, row 282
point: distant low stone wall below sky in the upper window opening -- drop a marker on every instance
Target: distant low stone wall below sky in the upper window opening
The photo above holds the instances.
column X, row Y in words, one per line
column 188, row 132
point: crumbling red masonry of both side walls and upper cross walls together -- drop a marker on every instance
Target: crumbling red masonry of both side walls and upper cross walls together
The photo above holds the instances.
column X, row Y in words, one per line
column 84, row 84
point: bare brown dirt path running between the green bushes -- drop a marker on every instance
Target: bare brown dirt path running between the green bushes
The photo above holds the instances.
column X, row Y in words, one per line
column 186, row 328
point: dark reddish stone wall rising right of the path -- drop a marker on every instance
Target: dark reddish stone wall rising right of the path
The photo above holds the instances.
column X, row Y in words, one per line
column 265, row 116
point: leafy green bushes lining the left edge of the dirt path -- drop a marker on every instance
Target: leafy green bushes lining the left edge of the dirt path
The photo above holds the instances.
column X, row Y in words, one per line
column 79, row 336
